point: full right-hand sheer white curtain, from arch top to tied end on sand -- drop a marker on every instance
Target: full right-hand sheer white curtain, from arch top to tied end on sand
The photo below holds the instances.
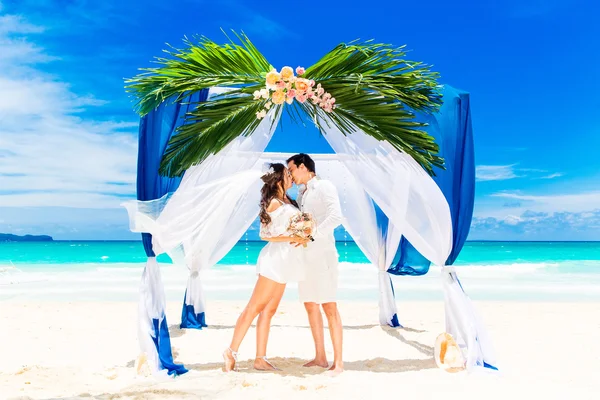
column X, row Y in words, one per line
column 418, row 210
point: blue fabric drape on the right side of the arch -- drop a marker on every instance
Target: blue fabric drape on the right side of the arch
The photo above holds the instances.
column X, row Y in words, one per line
column 452, row 129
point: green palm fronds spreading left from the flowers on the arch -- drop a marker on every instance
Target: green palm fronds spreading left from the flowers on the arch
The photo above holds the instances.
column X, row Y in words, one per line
column 212, row 125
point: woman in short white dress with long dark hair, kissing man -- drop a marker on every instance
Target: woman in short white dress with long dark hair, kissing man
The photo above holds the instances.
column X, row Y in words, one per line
column 278, row 263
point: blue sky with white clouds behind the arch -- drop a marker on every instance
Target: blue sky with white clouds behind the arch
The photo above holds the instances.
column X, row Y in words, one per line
column 68, row 132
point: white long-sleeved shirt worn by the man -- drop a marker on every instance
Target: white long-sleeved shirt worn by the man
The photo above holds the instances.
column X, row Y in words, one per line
column 320, row 199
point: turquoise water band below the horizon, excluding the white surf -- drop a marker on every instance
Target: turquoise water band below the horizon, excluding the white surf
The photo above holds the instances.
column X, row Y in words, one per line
column 30, row 255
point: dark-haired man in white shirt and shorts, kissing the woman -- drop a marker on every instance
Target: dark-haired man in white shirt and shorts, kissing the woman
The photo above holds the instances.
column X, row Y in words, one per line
column 320, row 199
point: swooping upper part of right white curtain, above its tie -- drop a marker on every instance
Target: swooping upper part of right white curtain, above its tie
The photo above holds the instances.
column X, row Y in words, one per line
column 397, row 183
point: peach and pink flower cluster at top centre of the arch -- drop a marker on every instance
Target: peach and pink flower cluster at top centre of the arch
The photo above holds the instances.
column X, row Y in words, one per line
column 286, row 87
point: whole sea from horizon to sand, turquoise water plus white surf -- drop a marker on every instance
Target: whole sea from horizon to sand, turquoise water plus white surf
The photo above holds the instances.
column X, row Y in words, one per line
column 77, row 270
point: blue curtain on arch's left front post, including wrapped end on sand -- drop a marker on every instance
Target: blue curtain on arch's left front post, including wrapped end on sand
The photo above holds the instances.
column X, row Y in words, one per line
column 156, row 129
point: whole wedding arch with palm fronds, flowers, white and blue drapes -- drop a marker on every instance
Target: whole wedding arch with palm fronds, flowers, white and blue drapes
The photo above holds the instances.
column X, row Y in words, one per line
column 208, row 114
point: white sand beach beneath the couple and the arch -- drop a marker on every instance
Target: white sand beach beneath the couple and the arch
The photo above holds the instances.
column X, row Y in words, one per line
column 85, row 349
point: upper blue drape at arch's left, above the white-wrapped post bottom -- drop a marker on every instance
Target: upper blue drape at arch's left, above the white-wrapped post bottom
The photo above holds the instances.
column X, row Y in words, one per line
column 156, row 129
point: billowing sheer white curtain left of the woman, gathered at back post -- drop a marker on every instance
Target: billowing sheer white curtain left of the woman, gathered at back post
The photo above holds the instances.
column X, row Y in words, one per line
column 214, row 205
